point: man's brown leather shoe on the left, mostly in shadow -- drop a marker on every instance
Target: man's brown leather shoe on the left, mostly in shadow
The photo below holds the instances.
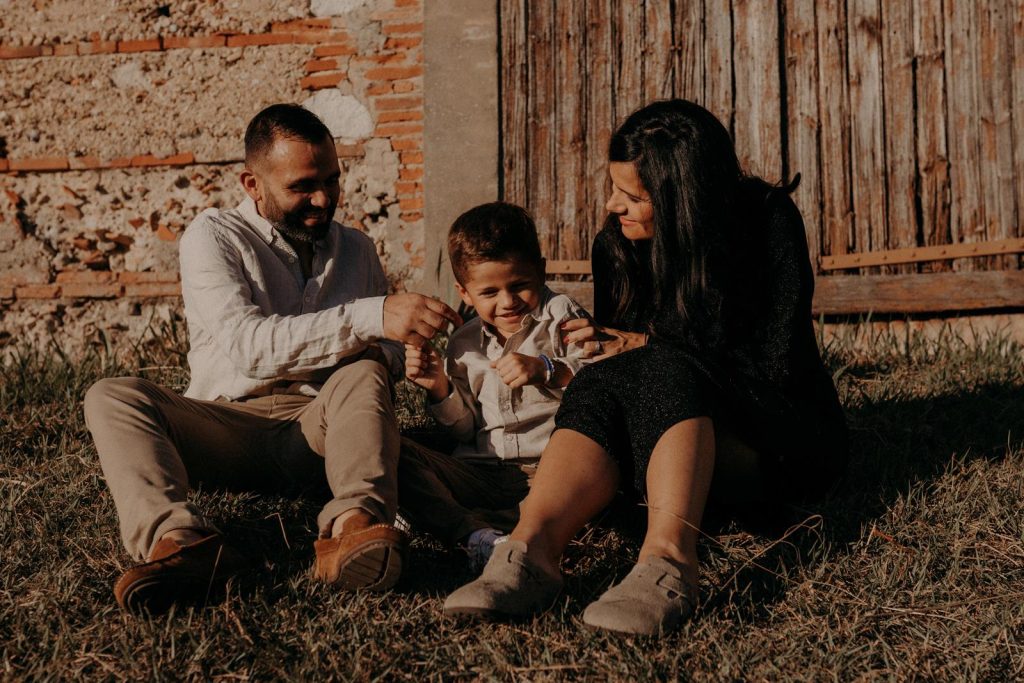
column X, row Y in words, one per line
column 177, row 574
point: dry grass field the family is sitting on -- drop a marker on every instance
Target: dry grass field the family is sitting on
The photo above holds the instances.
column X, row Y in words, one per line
column 913, row 570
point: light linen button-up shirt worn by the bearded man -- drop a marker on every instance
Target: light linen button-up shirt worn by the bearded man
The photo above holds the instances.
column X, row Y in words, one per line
column 257, row 326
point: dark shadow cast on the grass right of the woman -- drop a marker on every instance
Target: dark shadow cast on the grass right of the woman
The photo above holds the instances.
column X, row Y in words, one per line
column 895, row 446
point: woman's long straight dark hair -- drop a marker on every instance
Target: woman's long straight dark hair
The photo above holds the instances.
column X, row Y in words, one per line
column 687, row 162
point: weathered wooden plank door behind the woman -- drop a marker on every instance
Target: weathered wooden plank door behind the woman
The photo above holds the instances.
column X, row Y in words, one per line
column 906, row 118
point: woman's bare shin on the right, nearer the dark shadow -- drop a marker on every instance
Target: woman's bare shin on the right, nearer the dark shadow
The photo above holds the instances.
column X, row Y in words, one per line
column 678, row 480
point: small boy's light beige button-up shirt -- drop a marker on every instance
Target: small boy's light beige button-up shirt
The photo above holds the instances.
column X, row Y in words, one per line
column 492, row 420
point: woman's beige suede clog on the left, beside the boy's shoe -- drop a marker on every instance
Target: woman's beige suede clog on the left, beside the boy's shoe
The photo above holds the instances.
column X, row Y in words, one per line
column 511, row 586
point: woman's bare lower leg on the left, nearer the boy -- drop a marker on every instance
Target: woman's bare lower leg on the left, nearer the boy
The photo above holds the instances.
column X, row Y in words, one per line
column 576, row 480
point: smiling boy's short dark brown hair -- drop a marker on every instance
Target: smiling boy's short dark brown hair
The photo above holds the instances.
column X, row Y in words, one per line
column 496, row 232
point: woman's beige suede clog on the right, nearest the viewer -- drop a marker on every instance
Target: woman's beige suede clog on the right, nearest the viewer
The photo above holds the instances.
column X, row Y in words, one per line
column 654, row 600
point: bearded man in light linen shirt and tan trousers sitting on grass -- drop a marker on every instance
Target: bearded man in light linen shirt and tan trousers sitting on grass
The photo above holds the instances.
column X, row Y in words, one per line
column 292, row 356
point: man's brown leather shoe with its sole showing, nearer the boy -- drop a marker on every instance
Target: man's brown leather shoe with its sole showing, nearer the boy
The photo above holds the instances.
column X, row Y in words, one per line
column 367, row 556
